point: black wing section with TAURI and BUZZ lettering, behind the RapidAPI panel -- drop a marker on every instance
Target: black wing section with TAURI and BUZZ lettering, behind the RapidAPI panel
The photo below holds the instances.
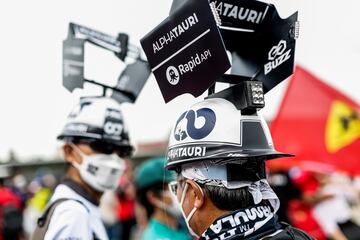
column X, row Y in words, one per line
column 262, row 43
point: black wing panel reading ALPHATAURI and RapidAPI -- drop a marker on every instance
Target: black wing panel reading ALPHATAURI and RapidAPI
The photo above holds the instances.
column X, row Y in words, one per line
column 186, row 52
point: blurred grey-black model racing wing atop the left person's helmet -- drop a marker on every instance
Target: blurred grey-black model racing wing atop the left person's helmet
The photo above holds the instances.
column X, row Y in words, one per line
column 132, row 78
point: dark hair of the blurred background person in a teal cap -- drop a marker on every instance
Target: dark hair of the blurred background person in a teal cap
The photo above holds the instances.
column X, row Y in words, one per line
column 141, row 197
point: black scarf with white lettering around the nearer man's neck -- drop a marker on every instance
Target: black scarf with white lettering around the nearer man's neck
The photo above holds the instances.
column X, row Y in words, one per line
column 248, row 223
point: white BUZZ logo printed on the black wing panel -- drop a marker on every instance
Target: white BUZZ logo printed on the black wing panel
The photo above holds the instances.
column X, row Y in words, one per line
column 277, row 56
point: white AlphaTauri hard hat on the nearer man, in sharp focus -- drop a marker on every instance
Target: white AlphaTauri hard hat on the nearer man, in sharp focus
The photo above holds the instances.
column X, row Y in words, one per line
column 215, row 130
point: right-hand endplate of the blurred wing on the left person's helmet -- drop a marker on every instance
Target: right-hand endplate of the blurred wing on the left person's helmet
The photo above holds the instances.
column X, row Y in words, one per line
column 131, row 81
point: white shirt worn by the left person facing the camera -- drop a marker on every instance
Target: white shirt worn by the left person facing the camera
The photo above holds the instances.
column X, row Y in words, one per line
column 72, row 220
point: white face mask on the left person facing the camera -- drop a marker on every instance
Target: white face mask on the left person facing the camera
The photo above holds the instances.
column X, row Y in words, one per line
column 100, row 171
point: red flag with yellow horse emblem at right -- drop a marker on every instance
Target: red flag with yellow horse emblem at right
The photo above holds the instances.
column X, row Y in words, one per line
column 317, row 123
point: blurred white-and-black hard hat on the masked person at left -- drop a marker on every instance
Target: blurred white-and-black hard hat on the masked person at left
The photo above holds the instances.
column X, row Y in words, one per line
column 100, row 120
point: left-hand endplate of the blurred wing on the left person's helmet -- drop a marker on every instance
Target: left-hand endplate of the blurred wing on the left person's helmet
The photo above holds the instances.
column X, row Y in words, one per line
column 73, row 63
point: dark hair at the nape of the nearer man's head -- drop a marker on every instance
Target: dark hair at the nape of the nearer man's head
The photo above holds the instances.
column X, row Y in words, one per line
column 228, row 199
